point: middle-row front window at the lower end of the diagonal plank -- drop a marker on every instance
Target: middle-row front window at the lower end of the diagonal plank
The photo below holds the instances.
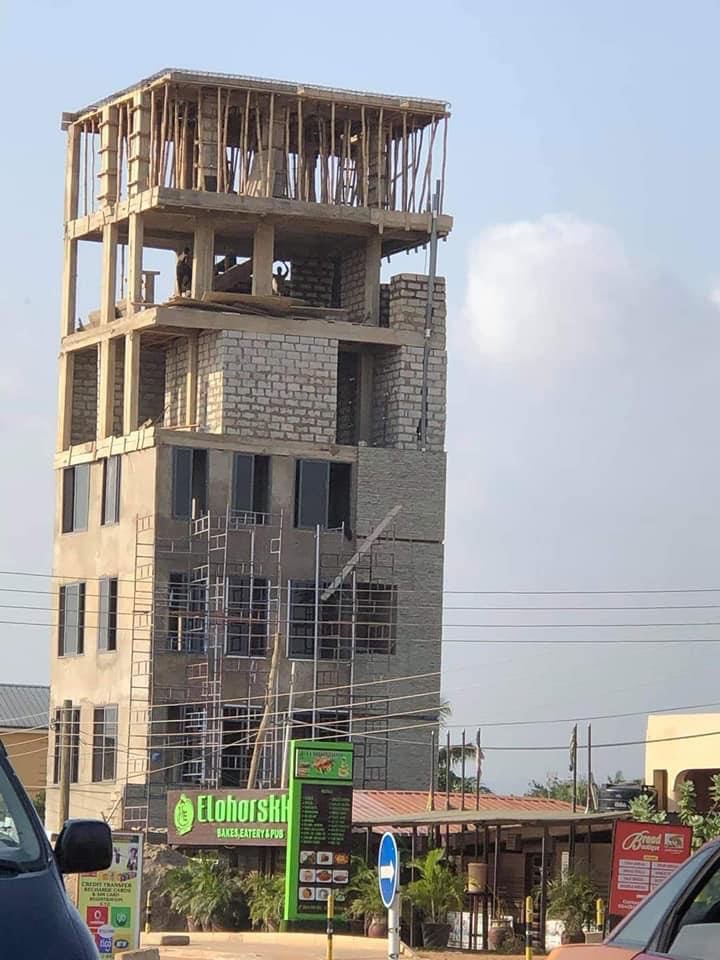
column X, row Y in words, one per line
column 334, row 628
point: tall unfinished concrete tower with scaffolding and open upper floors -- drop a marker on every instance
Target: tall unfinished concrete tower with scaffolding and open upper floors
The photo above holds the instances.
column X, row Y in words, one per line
column 250, row 464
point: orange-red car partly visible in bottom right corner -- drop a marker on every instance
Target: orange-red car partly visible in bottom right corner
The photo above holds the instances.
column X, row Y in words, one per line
column 680, row 920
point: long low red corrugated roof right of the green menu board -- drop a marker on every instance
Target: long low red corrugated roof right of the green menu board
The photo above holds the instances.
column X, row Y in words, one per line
column 375, row 804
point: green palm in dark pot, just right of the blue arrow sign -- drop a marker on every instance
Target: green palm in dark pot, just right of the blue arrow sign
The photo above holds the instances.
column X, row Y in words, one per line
column 435, row 892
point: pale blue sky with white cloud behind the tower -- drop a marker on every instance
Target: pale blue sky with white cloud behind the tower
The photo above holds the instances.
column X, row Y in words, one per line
column 564, row 432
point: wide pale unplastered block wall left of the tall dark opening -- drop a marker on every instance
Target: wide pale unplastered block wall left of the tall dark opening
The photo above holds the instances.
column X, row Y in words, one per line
column 273, row 385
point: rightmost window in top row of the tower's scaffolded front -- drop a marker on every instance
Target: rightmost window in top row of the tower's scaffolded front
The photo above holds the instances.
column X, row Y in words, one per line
column 322, row 494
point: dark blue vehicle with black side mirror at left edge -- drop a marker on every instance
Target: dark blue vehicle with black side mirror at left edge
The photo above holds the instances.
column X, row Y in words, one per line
column 37, row 919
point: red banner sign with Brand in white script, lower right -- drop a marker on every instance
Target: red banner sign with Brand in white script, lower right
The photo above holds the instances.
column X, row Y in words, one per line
column 644, row 854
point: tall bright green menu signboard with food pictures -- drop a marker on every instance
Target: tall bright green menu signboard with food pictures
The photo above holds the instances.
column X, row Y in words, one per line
column 319, row 828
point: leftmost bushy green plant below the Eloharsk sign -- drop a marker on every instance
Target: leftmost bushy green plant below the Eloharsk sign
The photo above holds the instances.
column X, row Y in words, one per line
column 207, row 891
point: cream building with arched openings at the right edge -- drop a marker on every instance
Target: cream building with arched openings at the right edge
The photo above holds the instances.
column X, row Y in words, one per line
column 687, row 747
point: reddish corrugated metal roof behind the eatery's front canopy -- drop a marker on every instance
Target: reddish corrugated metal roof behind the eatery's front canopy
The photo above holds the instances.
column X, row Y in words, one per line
column 390, row 807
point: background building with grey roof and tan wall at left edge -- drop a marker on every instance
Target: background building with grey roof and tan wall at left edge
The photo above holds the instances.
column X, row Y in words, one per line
column 24, row 710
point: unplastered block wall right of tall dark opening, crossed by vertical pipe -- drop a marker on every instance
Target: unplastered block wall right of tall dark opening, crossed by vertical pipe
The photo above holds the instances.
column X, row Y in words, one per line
column 397, row 398
